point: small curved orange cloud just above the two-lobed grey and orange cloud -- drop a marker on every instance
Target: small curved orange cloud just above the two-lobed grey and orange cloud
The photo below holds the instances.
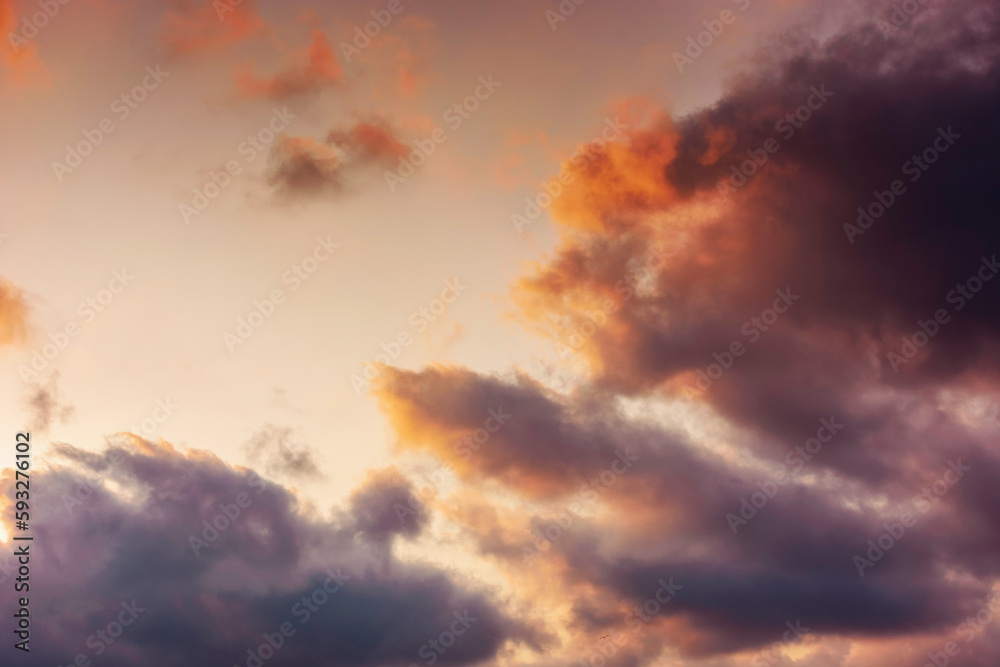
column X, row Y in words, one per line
column 313, row 68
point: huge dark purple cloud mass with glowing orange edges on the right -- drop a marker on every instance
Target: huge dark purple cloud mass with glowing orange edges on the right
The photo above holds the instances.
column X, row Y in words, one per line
column 660, row 271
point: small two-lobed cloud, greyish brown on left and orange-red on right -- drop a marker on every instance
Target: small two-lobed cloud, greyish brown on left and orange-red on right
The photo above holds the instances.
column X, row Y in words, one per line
column 307, row 167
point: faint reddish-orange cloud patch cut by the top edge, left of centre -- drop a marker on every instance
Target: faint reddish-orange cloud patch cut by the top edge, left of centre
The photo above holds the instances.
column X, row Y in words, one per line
column 209, row 28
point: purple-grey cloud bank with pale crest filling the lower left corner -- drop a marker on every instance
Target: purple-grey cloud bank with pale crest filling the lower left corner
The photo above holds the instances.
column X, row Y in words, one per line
column 134, row 545
